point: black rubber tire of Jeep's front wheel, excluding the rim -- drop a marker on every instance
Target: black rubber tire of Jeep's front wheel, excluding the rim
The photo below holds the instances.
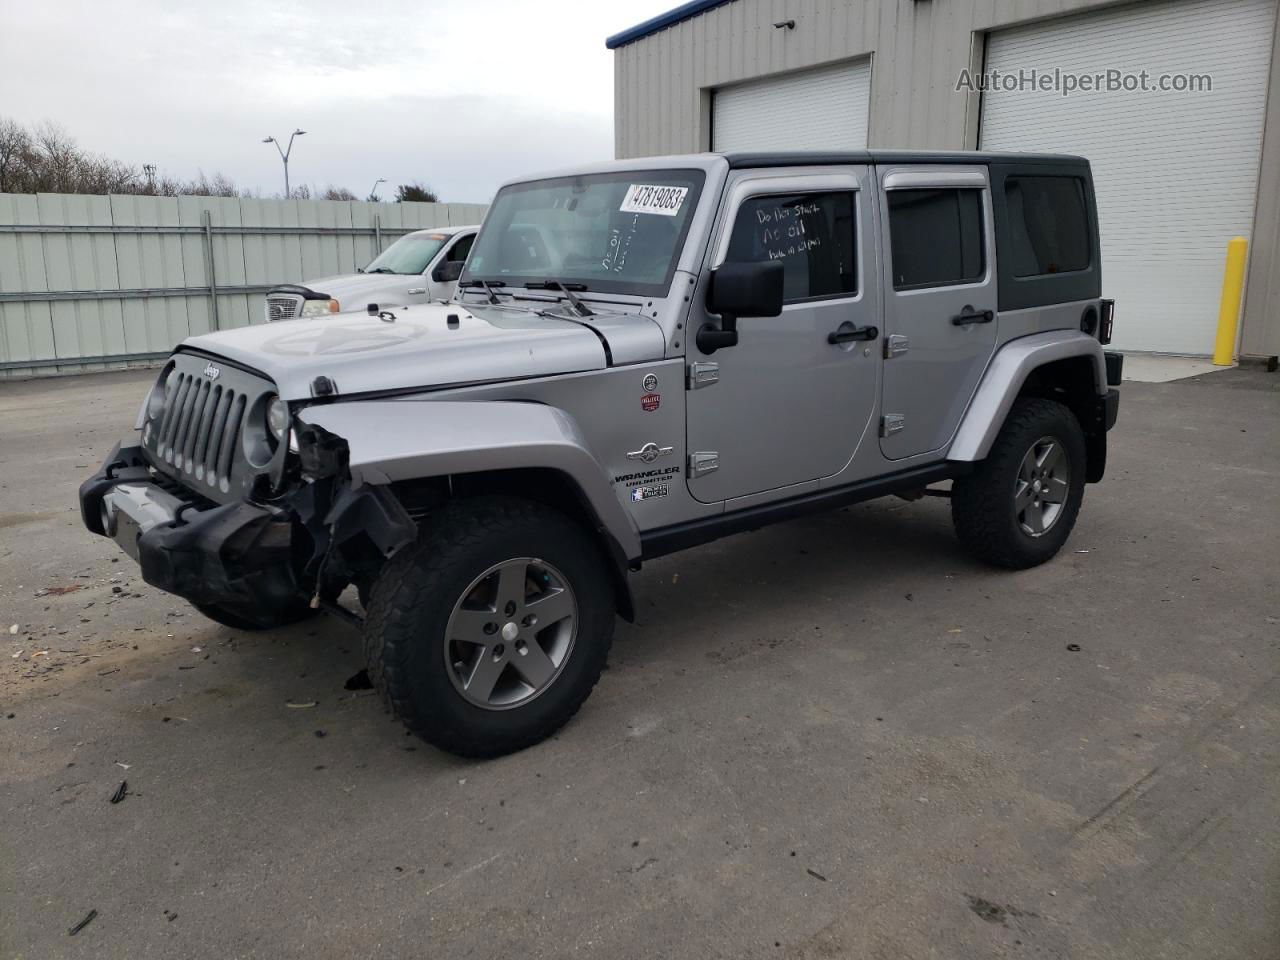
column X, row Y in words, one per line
column 415, row 596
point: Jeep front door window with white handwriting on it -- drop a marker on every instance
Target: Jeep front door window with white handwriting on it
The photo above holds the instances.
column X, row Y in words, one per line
column 813, row 235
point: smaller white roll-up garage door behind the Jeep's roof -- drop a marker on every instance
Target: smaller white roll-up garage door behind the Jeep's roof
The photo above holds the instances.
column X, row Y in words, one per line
column 820, row 109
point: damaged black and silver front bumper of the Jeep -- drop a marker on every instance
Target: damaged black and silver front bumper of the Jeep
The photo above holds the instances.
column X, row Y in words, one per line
column 239, row 555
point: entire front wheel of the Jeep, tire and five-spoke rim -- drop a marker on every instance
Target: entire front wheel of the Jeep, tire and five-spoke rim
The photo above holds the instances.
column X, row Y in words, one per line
column 488, row 634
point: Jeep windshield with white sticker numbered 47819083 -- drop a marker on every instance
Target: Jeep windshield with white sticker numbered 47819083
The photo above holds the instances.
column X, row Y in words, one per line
column 615, row 232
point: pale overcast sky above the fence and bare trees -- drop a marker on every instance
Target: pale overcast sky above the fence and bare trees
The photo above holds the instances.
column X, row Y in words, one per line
column 461, row 95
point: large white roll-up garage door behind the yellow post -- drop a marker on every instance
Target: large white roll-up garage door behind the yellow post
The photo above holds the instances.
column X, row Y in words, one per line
column 1176, row 172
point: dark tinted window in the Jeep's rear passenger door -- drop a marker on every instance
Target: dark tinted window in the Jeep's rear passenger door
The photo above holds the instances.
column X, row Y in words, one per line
column 935, row 237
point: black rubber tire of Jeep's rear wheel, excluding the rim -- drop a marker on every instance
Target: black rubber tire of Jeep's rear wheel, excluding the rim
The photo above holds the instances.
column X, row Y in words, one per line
column 982, row 502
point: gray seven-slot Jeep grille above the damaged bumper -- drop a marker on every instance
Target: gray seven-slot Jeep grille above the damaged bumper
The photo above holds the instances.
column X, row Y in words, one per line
column 207, row 435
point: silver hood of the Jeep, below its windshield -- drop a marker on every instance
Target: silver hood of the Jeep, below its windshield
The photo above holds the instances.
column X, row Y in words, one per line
column 363, row 354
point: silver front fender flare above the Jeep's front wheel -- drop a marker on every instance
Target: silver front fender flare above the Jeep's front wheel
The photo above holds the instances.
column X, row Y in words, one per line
column 391, row 441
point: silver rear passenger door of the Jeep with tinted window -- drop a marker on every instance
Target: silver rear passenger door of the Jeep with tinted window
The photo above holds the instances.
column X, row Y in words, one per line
column 940, row 301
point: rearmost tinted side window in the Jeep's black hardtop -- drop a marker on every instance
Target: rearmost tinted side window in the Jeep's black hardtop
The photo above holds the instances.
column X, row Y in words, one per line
column 1049, row 225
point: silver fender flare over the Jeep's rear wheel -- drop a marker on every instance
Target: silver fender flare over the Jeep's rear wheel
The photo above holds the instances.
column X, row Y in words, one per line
column 1005, row 377
